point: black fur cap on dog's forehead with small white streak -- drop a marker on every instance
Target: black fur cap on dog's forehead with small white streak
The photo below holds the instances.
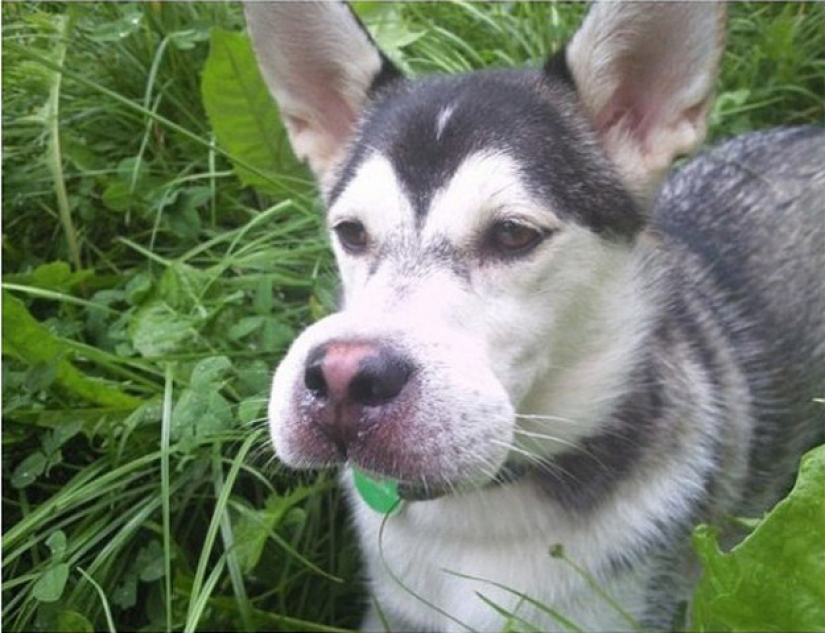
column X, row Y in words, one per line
column 428, row 129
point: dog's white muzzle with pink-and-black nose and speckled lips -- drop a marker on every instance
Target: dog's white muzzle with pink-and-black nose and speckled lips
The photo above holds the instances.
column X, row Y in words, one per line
column 421, row 410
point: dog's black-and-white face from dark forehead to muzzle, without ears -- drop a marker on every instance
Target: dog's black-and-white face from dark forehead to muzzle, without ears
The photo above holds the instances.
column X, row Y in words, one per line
column 461, row 253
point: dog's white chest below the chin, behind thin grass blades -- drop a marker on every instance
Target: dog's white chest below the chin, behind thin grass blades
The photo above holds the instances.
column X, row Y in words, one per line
column 485, row 560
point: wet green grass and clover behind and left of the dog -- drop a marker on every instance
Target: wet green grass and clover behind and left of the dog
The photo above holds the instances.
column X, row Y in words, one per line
column 148, row 292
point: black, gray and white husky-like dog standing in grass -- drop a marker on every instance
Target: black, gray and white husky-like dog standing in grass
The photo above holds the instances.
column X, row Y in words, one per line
column 563, row 357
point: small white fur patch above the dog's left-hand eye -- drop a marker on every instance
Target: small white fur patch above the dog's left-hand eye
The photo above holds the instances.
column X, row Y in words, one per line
column 374, row 196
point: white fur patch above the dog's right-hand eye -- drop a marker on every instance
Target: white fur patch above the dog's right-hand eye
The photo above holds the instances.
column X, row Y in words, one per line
column 485, row 187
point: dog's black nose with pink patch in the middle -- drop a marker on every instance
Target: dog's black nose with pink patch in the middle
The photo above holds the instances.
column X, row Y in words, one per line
column 345, row 378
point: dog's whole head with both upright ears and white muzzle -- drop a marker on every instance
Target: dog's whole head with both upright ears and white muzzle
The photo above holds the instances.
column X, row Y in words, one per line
column 484, row 227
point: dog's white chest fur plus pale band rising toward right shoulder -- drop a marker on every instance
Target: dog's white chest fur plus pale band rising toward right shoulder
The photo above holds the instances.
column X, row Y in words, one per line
column 503, row 537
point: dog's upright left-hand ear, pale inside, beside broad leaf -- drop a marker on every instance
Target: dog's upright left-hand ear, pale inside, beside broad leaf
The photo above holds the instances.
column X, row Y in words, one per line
column 320, row 65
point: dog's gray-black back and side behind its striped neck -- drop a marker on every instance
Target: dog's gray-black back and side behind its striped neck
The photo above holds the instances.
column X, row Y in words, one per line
column 745, row 227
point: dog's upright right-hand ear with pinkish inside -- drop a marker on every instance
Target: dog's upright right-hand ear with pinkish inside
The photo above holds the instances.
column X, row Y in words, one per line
column 646, row 73
